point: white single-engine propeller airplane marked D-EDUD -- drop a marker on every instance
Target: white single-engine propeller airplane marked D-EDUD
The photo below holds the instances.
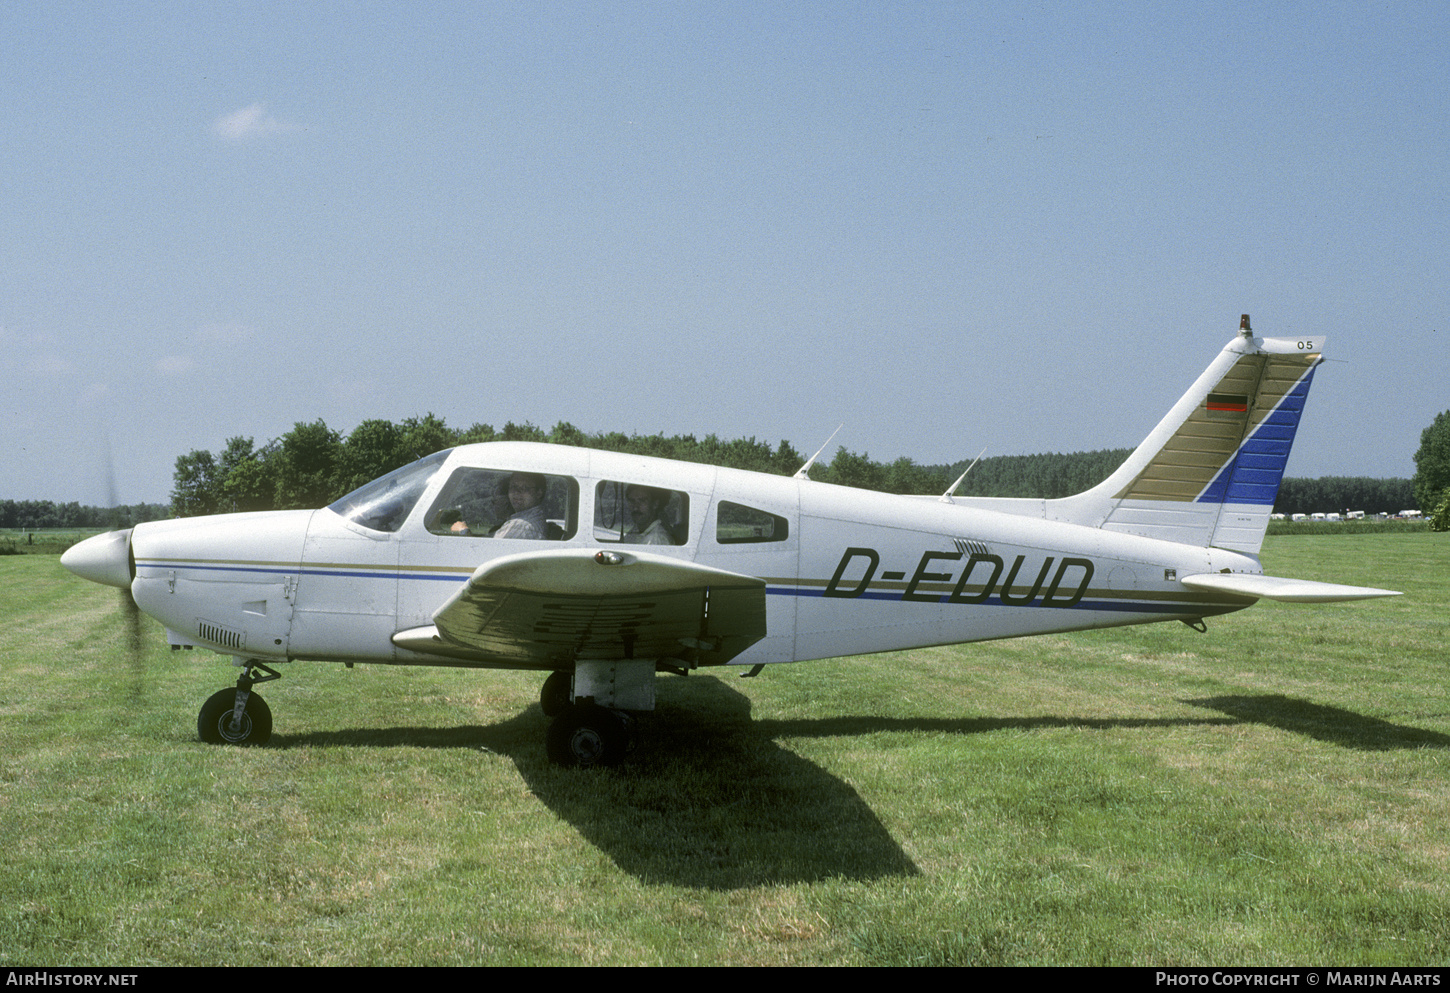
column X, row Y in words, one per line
column 608, row 569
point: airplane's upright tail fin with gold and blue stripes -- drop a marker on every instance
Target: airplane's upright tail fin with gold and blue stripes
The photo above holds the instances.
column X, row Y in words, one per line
column 1210, row 472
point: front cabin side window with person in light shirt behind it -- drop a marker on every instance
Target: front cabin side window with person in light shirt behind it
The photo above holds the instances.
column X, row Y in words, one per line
column 501, row 504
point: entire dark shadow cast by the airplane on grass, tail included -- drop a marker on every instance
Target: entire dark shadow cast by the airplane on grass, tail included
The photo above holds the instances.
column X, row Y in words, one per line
column 711, row 801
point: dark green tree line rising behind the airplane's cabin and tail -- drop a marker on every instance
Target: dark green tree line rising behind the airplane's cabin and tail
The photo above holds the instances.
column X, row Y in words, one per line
column 314, row 465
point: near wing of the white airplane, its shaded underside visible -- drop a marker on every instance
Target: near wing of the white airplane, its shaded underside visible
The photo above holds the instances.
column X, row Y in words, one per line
column 553, row 608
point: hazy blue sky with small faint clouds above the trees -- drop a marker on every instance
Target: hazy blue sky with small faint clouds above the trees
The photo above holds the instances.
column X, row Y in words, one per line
column 1024, row 227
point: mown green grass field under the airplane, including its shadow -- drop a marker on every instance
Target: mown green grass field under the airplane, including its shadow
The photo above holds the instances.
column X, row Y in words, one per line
column 1274, row 792
